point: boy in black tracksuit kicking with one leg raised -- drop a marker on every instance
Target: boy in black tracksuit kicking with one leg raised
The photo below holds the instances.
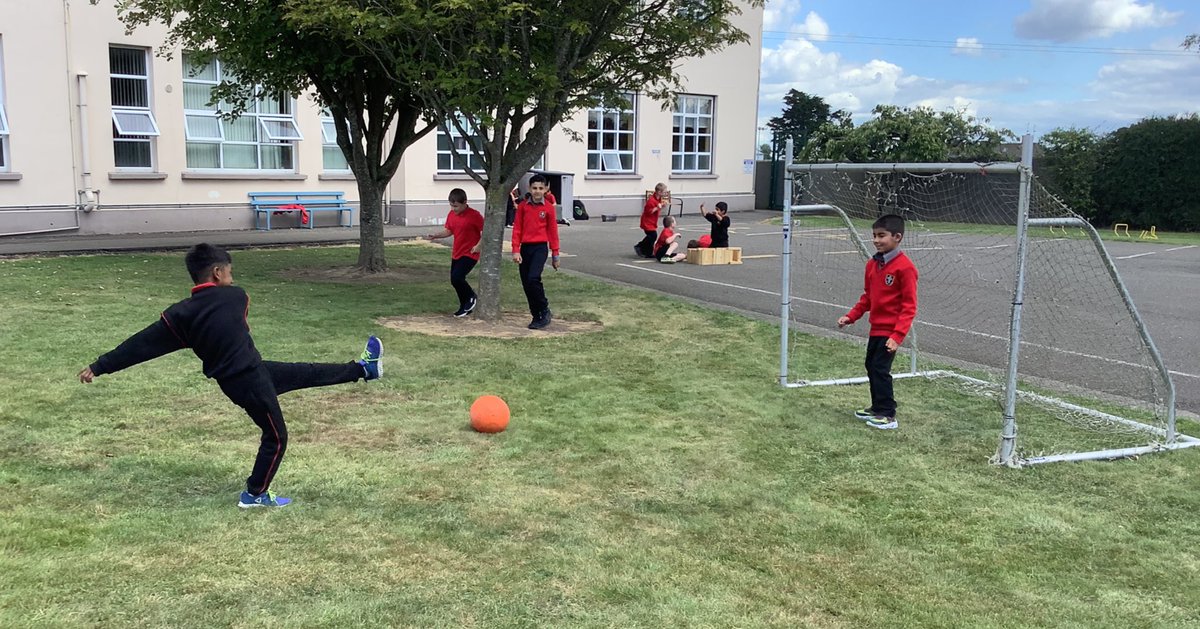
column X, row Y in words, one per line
column 213, row 325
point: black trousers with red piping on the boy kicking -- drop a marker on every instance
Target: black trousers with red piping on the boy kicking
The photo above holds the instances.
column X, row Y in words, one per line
column 257, row 393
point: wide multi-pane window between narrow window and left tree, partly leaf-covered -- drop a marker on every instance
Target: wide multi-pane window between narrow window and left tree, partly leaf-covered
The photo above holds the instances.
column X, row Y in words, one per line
column 260, row 140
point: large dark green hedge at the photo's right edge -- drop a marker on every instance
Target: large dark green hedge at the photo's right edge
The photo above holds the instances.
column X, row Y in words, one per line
column 1149, row 173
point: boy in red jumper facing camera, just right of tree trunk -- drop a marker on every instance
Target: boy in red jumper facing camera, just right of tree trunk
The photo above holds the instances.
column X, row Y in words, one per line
column 535, row 232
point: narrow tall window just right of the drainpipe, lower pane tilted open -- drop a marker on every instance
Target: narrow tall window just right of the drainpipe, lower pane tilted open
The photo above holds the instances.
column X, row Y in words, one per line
column 134, row 124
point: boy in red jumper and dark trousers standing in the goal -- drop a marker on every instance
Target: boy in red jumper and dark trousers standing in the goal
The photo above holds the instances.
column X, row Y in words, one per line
column 890, row 295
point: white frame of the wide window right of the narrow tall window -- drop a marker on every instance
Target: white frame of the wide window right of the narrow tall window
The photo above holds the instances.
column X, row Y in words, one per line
column 265, row 137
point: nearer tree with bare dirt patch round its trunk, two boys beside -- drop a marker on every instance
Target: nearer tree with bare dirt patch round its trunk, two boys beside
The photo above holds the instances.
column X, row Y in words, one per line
column 511, row 71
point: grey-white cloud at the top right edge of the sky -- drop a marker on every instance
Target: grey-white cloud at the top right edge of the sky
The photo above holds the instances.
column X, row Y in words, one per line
column 1069, row 21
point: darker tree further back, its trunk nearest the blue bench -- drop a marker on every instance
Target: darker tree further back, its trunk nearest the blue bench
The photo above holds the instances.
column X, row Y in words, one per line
column 272, row 52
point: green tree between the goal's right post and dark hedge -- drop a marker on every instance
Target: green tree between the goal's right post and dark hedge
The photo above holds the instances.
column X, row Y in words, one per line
column 1069, row 166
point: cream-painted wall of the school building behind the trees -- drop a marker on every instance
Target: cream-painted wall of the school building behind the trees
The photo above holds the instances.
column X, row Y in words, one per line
column 56, row 88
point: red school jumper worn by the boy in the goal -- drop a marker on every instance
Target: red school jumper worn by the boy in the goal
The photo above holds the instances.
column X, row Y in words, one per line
column 890, row 295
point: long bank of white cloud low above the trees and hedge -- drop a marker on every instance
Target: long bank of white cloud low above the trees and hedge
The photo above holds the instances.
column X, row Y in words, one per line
column 1118, row 95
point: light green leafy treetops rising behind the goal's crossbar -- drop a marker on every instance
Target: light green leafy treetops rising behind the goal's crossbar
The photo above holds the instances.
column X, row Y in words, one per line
column 908, row 135
